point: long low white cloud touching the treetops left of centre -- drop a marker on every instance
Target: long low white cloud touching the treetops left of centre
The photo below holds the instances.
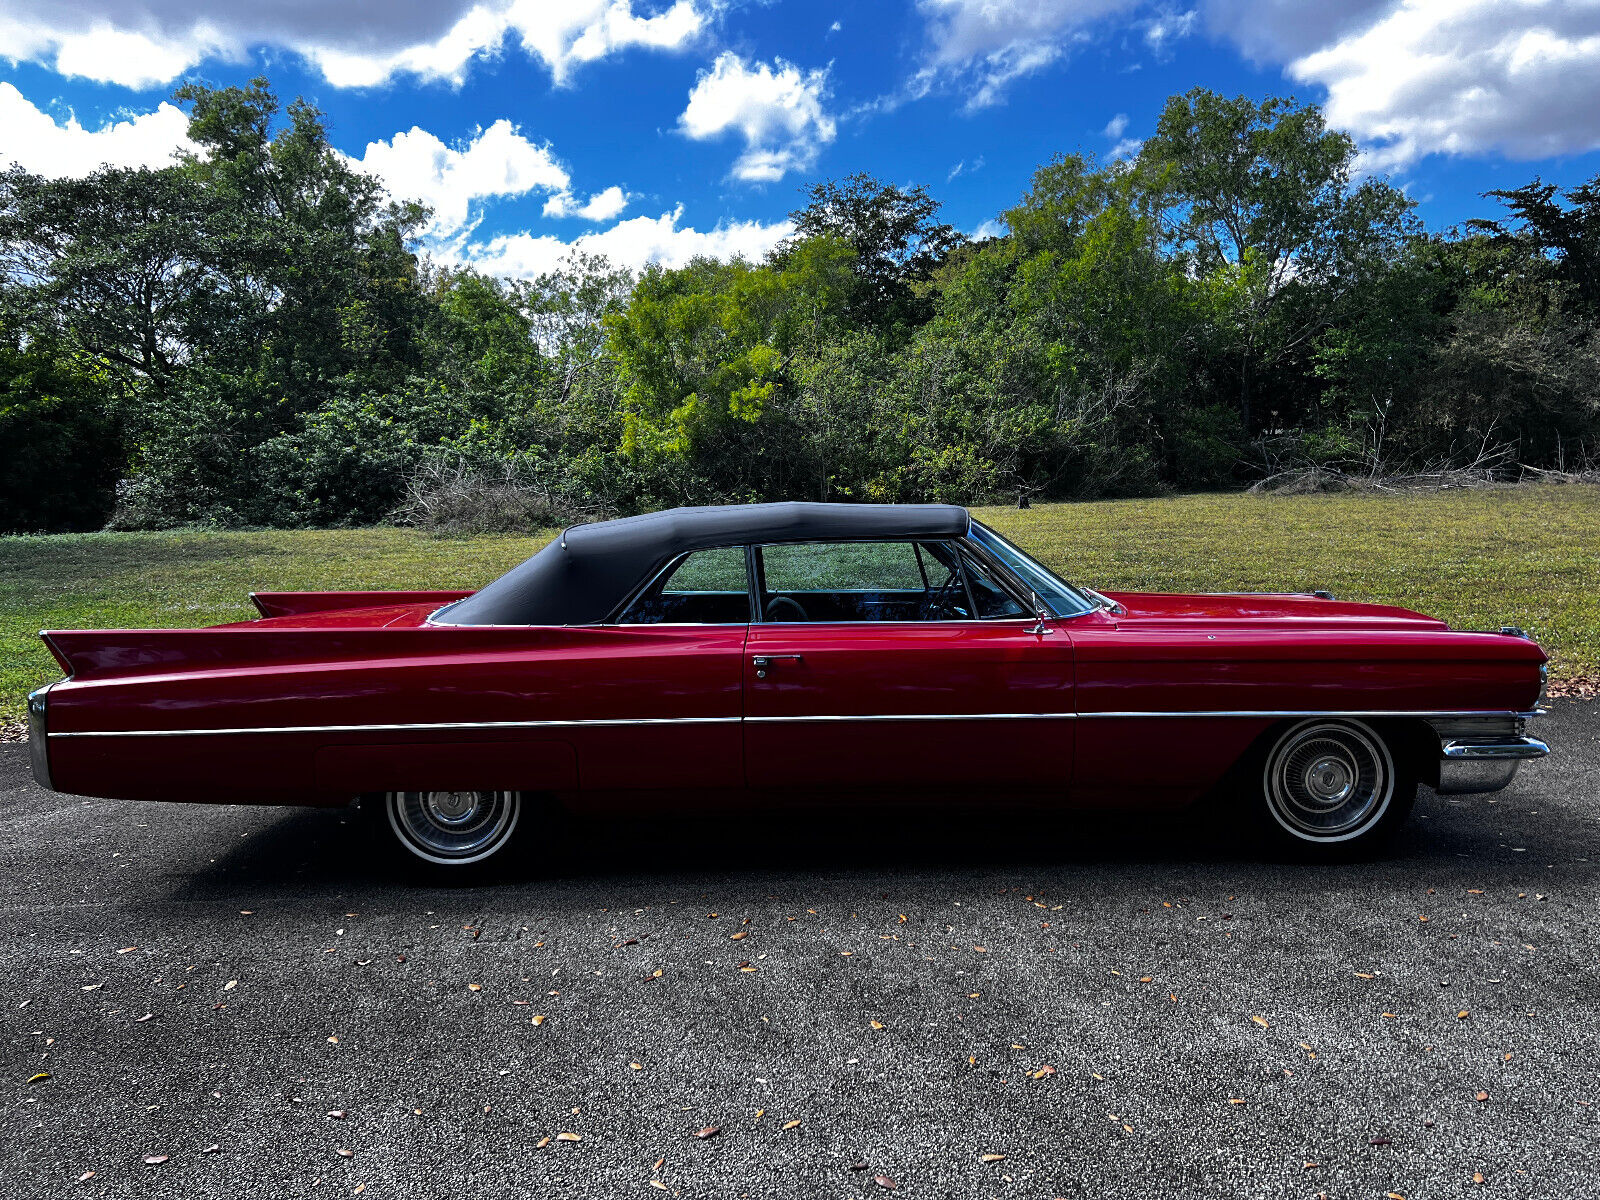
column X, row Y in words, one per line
column 628, row 244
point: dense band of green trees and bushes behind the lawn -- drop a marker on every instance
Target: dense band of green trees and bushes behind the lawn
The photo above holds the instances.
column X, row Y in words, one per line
column 247, row 338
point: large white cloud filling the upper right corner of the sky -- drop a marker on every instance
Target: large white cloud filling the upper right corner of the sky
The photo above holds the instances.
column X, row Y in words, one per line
column 1514, row 78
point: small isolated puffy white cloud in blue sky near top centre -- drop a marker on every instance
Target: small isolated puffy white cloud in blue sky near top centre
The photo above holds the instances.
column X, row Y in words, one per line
column 777, row 111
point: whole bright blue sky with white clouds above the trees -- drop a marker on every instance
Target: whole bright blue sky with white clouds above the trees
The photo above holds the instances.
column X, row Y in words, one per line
column 660, row 129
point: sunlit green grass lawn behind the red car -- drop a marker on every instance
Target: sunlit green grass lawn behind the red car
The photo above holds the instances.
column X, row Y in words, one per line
column 1479, row 559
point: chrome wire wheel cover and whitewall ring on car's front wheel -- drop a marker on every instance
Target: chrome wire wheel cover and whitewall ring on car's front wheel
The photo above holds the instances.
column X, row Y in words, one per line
column 1329, row 782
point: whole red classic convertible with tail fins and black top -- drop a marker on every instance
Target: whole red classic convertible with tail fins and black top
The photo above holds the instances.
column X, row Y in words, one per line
column 782, row 655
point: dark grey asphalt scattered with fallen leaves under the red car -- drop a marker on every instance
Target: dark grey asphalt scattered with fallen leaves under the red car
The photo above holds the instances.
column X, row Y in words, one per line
column 1119, row 1012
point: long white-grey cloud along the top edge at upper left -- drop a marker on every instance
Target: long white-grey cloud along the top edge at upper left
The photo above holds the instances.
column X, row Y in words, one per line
column 143, row 44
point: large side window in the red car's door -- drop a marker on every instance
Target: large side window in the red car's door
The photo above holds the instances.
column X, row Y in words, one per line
column 862, row 582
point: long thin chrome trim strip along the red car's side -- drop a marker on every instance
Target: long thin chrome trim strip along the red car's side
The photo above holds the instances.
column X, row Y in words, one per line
column 607, row 722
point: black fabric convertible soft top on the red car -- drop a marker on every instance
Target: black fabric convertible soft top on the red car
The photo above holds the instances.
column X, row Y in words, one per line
column 590, row 570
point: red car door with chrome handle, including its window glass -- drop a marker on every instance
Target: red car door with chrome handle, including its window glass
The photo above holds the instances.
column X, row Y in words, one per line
column 905, row 682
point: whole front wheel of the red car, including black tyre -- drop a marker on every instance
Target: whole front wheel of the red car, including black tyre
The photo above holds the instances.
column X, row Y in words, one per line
column 1332, row 788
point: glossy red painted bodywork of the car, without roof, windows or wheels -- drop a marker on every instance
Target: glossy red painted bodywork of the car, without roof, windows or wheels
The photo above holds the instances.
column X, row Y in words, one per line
column 332, row 695
